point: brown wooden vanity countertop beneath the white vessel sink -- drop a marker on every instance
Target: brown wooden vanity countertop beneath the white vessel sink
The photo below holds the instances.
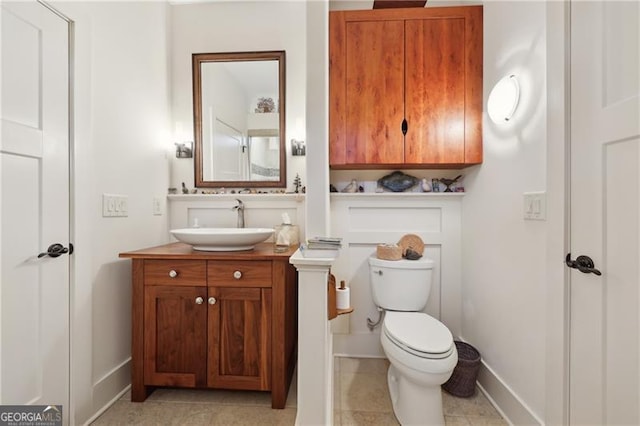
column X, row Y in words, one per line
column 262, row 251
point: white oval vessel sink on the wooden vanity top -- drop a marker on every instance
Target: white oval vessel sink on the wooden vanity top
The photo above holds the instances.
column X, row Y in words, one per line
column 222, row 239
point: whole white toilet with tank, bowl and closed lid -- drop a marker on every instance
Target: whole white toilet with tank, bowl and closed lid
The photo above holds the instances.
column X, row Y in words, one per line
column 420, row 348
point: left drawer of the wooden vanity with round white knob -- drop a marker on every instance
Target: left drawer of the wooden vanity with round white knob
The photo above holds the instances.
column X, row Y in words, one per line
column 175, row 272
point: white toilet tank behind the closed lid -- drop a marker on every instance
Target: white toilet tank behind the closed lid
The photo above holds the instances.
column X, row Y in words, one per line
column 400, row 285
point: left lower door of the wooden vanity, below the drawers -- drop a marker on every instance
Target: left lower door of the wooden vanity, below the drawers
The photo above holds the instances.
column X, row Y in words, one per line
column 175, row 340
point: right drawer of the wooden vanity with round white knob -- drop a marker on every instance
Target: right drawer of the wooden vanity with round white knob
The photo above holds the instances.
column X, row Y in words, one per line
column 239, row 273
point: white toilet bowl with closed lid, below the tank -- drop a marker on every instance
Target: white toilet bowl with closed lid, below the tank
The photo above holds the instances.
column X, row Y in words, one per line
column 421, row 361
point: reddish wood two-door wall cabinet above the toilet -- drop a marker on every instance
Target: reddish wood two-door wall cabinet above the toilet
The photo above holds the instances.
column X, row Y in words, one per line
column 405, row 88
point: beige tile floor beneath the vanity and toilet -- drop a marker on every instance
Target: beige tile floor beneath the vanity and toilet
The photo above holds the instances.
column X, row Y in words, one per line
column 361, row 398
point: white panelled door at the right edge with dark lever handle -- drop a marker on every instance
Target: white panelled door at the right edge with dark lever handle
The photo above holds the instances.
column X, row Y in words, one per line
column 605, row 213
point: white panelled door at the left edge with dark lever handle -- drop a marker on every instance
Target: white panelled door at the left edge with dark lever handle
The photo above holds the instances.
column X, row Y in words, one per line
column 34, row 185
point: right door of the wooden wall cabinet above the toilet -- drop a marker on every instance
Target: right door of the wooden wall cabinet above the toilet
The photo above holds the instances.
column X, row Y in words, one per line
column 434, row 89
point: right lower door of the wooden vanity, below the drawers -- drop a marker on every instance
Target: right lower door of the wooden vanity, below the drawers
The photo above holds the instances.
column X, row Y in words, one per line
column 239, row 338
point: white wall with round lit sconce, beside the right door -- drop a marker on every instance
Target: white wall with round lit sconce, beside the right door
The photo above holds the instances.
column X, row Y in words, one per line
column 504, row 256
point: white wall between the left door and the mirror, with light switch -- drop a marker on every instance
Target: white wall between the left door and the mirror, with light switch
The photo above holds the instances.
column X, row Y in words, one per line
column 120, row 141
